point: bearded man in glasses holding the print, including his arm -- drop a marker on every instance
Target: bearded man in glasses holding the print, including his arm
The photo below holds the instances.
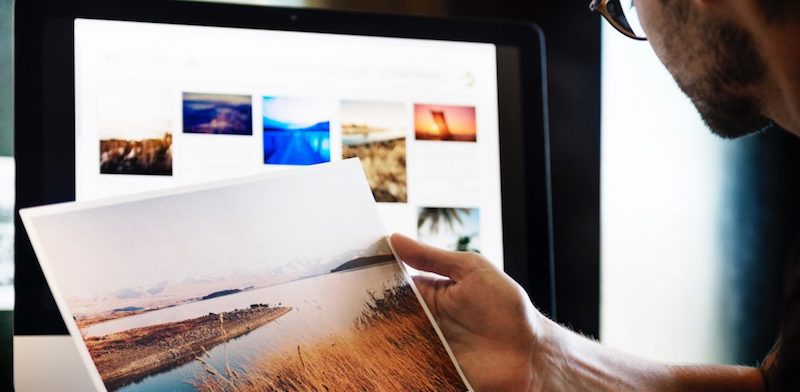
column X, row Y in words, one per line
column 739, row 62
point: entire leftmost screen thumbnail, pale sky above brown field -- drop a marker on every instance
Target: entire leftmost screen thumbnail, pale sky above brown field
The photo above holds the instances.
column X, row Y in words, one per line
column 135, row 130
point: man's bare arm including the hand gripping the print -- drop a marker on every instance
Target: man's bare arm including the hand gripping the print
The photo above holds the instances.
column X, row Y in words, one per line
column 504, row 344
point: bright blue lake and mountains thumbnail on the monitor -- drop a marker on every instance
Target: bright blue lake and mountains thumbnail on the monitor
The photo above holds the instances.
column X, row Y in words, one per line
column 297, row 130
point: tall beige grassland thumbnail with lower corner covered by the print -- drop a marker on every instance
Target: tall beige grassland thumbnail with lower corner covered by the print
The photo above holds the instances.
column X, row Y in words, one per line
column 375, row 132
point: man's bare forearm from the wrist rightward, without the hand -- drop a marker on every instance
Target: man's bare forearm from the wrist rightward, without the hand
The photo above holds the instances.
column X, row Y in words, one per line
column 566, row 361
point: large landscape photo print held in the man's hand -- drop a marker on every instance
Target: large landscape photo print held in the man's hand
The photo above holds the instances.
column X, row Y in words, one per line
column 258, row 311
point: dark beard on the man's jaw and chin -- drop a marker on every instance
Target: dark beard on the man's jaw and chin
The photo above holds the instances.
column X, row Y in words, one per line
column 723, row 93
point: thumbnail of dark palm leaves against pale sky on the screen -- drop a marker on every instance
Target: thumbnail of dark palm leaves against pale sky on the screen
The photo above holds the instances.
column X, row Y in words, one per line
column 450, row 228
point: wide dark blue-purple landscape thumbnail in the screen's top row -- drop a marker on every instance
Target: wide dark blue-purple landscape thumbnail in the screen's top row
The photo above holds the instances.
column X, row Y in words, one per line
column 219, row 114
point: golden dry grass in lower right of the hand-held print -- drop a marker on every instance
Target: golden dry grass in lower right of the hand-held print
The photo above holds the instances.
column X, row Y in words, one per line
column 391, row 347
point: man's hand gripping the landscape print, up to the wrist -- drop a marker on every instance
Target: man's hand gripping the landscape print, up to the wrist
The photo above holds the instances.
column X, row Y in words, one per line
column 485, row 316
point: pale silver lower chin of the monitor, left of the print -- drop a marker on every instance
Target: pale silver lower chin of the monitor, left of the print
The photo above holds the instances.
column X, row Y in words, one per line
column 49, row 363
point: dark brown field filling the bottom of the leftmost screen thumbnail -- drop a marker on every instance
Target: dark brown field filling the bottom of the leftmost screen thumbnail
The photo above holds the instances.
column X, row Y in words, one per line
column 144, row 156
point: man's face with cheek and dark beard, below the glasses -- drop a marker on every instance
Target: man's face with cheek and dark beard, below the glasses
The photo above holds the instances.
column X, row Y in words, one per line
column 715, row 62
